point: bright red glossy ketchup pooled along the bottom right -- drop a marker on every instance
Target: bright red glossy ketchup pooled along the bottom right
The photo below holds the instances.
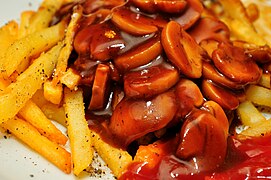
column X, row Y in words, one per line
column 245, row 159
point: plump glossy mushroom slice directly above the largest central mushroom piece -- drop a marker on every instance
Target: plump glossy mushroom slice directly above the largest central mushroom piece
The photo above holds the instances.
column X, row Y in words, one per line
column 149, row 82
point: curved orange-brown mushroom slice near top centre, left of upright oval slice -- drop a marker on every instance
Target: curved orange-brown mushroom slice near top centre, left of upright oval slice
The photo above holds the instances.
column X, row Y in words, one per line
column 130, row 22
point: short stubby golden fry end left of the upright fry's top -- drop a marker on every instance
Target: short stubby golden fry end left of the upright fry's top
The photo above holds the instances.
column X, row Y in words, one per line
column 53, row 93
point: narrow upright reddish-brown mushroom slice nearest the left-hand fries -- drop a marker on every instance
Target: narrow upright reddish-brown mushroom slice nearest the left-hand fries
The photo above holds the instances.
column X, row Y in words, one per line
column 99, row 87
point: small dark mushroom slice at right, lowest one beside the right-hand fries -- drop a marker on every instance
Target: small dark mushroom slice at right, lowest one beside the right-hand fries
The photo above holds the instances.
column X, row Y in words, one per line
column 225, row 98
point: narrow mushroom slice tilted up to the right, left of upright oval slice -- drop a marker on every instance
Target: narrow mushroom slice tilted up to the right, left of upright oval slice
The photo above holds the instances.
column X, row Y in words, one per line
column 139, row 55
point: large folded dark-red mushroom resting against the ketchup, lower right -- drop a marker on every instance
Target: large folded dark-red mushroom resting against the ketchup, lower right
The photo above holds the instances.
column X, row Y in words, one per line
column 202, row 141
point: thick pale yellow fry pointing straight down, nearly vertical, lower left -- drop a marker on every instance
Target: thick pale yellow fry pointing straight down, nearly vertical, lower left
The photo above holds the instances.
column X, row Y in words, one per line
column 78, row 131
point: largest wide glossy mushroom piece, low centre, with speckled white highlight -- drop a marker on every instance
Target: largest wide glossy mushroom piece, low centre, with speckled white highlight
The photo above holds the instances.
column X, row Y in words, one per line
column 133, row 118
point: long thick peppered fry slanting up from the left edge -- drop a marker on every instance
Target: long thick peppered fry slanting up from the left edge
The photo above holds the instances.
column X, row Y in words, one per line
column 18, row 93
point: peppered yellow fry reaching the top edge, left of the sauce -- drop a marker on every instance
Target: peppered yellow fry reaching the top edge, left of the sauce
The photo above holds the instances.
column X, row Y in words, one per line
column 42, row 18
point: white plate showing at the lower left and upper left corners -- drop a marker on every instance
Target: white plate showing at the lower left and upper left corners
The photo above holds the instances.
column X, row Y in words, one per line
column 17, row 161
